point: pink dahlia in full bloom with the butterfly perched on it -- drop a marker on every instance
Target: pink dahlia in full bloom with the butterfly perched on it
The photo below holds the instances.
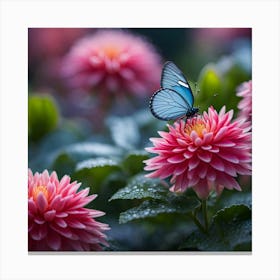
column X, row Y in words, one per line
column 205, row 153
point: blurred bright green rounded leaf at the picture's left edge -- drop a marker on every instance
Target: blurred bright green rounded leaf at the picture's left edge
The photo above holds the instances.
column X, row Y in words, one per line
column 42, row 116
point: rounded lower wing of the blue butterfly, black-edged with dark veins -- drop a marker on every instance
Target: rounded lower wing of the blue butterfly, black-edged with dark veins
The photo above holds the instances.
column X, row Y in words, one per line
column 167, row 104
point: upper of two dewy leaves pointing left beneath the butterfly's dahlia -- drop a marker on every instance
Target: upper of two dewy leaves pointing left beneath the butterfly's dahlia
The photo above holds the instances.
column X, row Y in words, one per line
column 141, row 187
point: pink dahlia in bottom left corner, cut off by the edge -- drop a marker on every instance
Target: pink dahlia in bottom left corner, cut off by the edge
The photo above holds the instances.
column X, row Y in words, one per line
column 57, row 219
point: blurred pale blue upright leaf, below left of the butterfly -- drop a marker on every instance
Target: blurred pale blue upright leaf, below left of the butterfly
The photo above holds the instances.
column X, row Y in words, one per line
column 124, row 132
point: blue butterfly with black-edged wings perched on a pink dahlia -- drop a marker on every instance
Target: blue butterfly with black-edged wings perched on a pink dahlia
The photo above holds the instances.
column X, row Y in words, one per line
column 175, row 98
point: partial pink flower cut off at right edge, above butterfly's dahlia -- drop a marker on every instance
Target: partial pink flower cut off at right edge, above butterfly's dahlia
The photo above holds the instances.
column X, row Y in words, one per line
column 245, row 104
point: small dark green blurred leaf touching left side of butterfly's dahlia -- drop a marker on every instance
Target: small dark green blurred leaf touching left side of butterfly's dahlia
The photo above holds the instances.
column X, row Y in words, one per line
column 133, row 162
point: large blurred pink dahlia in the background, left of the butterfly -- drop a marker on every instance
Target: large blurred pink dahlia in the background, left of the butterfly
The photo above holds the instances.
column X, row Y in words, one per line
column 113, row 61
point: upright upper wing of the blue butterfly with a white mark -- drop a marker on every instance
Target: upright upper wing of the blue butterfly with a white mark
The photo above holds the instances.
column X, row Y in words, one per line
column 173, row 78
